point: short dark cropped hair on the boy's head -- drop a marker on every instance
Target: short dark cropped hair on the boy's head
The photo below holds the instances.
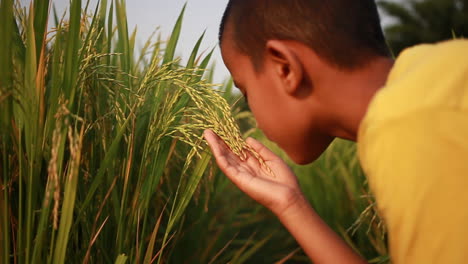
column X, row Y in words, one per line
column 346, row 33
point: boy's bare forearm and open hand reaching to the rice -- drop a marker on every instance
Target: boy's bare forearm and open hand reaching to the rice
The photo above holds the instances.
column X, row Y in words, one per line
column 281, row 194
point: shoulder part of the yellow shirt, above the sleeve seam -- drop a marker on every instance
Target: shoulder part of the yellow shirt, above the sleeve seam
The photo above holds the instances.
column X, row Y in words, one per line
column 424, row 77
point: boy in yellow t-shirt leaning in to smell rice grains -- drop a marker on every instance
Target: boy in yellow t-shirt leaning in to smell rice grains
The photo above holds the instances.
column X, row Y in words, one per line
column 315, row 70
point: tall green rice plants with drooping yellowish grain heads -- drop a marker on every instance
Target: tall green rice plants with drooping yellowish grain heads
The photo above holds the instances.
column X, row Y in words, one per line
column 101, row 156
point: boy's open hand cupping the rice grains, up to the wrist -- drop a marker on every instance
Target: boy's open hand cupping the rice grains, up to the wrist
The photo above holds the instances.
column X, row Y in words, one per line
column 278, row 192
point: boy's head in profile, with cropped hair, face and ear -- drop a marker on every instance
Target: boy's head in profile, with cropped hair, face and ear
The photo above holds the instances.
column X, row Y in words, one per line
column 282, row 53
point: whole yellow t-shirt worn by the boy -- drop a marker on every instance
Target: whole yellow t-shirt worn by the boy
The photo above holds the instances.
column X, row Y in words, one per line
column 413, row 146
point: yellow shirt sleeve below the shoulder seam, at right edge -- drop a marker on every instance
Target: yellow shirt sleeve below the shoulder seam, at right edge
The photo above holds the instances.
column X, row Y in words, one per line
column 418, row 170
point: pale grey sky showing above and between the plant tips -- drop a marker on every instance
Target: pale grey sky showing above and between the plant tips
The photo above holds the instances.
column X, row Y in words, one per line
column 148, row 15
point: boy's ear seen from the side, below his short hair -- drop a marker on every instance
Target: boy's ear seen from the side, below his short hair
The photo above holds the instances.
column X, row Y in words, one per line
column 286, row 64
